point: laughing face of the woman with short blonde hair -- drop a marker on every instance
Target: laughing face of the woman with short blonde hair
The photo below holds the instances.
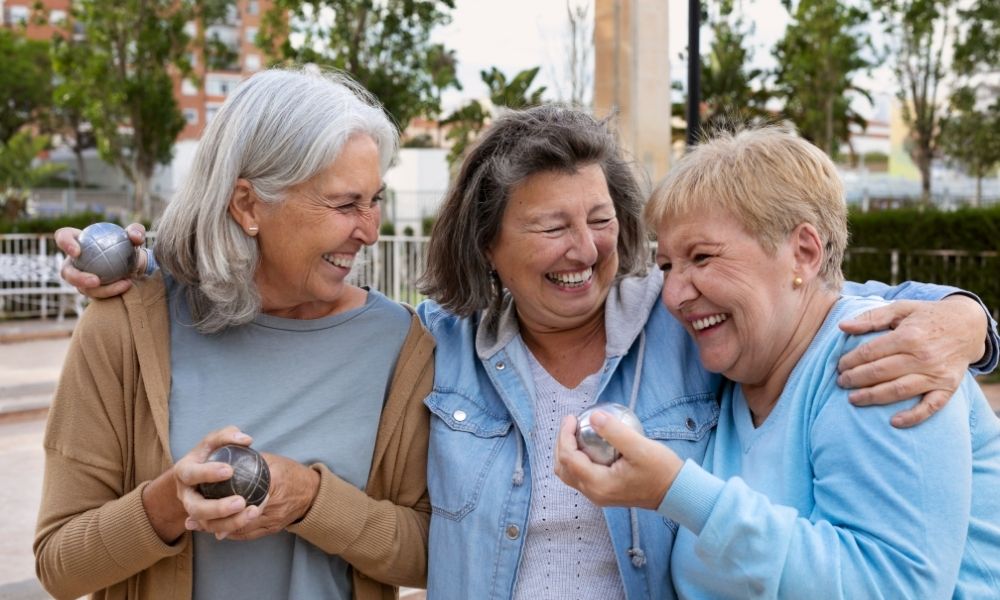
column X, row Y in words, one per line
column 736, row 300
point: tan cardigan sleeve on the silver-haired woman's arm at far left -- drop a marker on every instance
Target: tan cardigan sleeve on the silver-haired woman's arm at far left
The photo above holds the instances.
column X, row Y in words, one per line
column 92, row 531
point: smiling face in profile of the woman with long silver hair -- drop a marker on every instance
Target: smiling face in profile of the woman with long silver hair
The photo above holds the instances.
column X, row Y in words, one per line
column 308, row 241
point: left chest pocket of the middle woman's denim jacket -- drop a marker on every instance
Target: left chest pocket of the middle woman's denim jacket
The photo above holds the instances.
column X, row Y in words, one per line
column 465, row 440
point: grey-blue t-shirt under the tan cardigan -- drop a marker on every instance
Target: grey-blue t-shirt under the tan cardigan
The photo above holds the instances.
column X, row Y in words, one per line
column 310, row 390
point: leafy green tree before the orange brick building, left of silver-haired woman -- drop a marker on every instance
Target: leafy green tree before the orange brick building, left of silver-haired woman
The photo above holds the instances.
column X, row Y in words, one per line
column 122, row 77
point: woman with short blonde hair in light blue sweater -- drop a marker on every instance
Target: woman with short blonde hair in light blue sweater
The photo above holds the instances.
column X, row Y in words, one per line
column 799, row 495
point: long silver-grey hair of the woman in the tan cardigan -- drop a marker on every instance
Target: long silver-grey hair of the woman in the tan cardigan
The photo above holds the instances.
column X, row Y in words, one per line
column 278, row 129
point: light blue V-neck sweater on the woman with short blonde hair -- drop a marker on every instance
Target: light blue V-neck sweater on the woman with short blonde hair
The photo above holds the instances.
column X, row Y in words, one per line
column 843, row 505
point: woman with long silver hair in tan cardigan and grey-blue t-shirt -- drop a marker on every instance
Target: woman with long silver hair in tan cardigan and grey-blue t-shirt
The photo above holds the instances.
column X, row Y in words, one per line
column 251, row 327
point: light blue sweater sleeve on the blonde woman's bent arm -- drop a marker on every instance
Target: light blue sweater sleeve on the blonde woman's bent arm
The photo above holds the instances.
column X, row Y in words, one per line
column 889, row 519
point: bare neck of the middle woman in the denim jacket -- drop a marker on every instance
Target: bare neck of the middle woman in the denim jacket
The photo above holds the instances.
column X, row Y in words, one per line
column 569, row 355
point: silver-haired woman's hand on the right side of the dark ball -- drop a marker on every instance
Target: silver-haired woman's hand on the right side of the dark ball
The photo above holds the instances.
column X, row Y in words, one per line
column 293, row 488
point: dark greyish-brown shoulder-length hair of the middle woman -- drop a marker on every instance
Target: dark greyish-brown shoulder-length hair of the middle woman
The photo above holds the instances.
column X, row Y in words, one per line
column 518, row 145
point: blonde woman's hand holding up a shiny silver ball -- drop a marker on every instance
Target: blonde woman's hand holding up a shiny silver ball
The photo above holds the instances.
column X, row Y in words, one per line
column 641, row 477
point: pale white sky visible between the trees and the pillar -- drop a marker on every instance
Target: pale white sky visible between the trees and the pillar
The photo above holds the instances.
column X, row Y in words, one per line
column 519, row 34
